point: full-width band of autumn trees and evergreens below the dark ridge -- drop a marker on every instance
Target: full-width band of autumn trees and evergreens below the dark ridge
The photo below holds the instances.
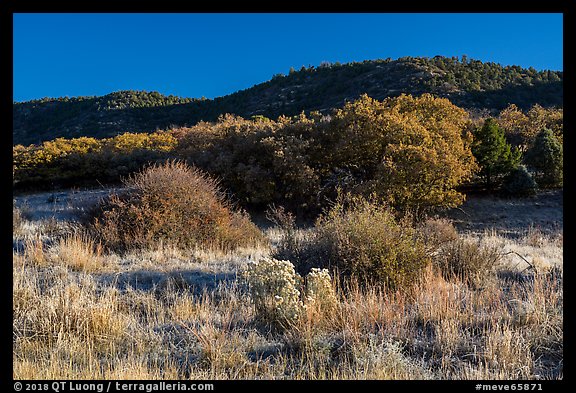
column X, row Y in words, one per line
column 413, row 153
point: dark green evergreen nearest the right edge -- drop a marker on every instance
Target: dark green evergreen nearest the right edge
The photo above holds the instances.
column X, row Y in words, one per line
column 546, row 157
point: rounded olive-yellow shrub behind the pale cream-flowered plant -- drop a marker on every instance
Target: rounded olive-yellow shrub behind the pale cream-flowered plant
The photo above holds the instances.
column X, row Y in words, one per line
column 362, row 239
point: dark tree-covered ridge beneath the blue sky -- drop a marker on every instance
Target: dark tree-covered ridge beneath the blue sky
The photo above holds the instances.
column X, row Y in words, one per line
column 470, row 84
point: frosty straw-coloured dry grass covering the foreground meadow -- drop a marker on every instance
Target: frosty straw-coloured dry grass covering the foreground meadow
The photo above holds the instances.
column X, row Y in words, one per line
column 172, row 313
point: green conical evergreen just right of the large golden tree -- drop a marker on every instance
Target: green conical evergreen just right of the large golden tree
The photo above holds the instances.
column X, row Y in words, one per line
column 494, row 155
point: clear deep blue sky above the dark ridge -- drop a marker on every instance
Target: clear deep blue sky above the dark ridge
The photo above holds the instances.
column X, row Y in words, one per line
column 210, row 55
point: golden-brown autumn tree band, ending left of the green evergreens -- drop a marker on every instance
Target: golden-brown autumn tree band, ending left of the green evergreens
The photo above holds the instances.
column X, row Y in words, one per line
column 411, row 152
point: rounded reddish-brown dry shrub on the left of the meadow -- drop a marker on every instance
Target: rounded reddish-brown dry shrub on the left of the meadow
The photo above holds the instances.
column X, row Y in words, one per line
column 172, row 204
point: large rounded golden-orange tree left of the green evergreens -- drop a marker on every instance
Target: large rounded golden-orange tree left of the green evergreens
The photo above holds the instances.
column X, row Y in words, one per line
column 409, row 151
